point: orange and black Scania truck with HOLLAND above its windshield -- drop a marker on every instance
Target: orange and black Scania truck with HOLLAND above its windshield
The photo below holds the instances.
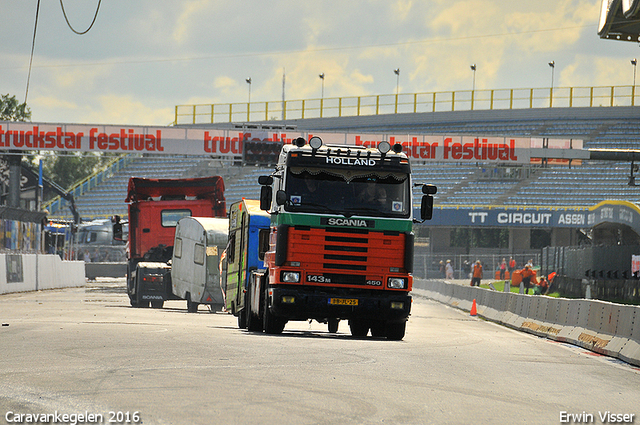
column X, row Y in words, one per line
column 340, row 242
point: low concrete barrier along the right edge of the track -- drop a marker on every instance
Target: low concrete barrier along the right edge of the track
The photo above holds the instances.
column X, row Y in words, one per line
column 600, row 326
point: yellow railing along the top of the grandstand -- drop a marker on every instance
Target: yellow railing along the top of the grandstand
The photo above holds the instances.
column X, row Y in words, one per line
column 464, row 100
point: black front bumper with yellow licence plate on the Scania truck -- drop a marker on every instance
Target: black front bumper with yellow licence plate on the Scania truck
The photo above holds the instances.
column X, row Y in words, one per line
column 295, row 303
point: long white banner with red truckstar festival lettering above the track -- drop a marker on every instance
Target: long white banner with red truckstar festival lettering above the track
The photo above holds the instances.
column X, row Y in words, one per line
column 16, row 136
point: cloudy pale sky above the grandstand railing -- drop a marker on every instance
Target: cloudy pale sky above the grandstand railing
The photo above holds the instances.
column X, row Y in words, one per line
column 143, row 57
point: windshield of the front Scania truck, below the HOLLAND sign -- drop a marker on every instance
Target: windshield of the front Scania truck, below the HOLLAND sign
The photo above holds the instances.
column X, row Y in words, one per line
column 348, row 193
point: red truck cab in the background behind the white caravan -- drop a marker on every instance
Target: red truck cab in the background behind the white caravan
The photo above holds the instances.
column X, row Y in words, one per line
column 155, row 206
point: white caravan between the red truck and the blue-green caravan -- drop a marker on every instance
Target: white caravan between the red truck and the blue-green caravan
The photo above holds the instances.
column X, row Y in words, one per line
column 195, row 268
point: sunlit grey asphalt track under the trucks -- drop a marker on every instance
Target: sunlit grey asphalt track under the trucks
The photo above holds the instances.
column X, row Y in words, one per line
column 85, row 351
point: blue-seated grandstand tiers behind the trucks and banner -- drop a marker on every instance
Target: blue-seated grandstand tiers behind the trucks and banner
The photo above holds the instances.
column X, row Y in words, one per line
column 470, row 184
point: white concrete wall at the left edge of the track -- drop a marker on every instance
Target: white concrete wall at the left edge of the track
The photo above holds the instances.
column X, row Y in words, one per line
column 32, row 272
